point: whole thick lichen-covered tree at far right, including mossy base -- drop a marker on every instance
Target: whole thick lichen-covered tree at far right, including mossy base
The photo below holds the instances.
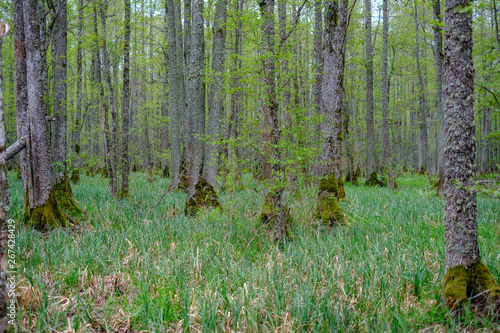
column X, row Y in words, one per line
column 467, row 278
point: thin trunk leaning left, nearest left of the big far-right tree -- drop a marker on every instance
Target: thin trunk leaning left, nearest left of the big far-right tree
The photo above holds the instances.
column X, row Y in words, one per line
column 424, row 109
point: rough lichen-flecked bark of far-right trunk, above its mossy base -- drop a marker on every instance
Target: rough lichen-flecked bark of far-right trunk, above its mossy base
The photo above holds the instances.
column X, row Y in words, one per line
column 460, row 206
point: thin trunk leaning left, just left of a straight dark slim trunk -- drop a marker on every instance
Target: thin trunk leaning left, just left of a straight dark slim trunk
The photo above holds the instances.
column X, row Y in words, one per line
column 107, row 76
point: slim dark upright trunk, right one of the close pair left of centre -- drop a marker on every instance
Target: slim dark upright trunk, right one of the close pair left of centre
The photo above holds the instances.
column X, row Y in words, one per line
column 126, row 102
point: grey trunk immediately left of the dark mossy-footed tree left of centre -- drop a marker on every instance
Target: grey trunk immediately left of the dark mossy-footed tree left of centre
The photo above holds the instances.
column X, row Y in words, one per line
column 175, row 98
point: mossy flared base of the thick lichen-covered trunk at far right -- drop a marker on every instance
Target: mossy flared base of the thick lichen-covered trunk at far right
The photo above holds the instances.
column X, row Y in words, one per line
column 473, row 283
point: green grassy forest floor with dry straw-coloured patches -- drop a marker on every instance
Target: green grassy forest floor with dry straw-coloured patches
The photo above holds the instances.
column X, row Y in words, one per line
column 137, row 266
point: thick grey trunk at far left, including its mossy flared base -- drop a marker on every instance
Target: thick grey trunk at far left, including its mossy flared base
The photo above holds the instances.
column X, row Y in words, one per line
column 41, row 208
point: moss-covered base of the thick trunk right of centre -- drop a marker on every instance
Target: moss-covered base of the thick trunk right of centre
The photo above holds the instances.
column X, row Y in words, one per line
column 328, row 209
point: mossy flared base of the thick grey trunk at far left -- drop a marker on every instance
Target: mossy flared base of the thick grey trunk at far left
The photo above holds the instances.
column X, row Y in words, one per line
column 46, row 216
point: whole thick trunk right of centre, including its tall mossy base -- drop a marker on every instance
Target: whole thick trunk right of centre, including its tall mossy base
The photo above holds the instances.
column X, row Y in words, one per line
column 331, row 186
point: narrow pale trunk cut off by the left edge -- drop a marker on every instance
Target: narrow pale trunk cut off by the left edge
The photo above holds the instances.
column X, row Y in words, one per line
column 4, row 201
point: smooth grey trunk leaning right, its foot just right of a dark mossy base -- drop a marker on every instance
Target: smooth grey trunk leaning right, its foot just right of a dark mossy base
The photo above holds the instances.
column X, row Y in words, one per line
column 216, row 98
